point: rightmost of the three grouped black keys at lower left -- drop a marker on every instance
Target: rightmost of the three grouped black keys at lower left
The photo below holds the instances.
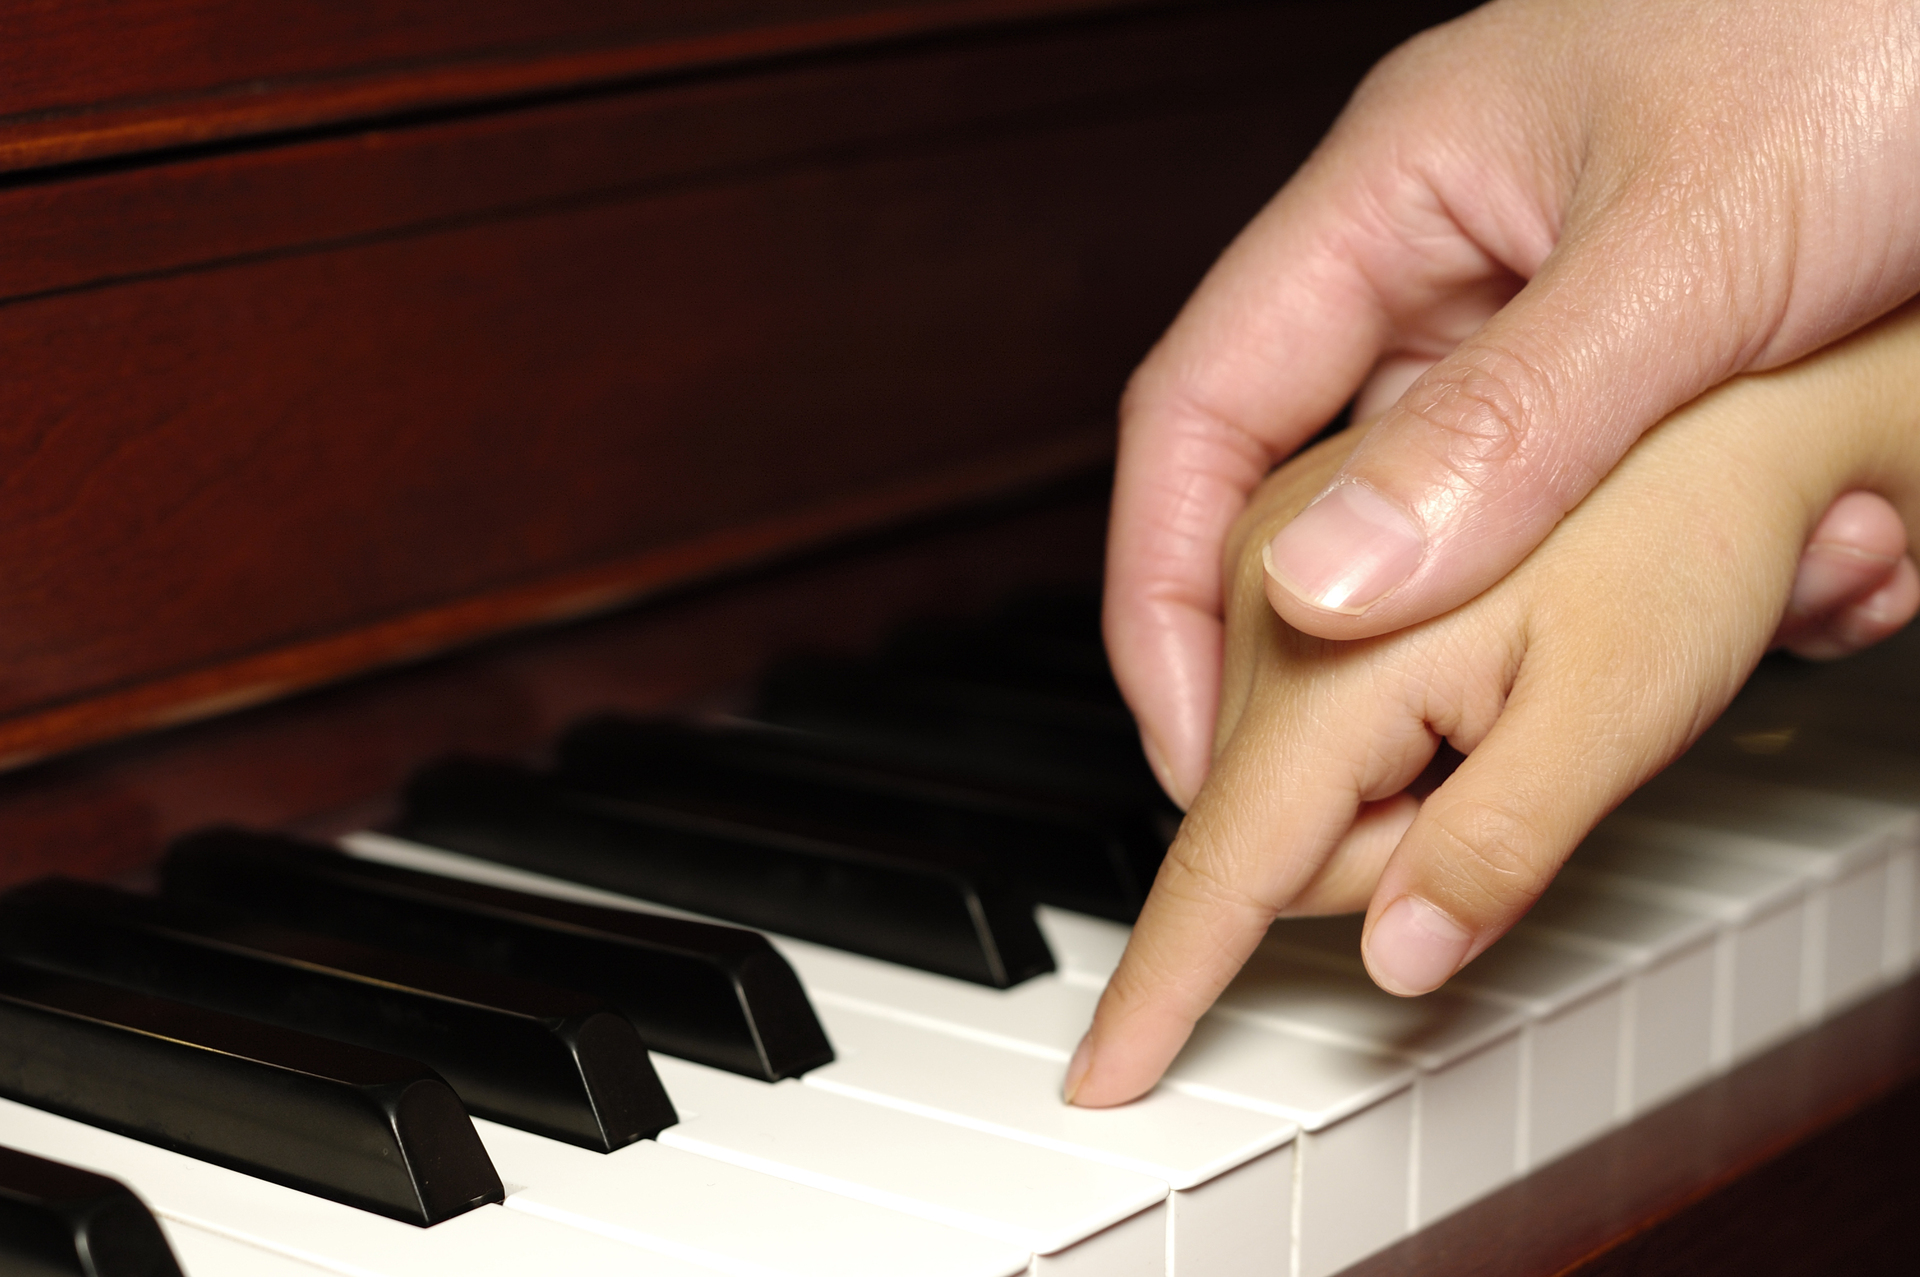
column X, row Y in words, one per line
column 694, row 990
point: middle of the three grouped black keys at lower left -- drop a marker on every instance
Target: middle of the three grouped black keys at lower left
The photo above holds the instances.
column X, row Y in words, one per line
column 535, row 1057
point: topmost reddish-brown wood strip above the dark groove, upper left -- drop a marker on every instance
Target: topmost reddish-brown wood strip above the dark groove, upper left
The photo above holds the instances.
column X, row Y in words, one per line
column 85, row 80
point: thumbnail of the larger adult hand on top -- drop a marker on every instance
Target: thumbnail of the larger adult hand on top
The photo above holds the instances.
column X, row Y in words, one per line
column 1347, row 550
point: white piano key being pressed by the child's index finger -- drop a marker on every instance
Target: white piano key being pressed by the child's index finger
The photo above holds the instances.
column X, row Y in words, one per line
column 1228, row 1167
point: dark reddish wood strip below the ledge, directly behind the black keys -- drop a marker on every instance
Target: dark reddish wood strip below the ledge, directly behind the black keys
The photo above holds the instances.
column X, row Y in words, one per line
column 331, row 759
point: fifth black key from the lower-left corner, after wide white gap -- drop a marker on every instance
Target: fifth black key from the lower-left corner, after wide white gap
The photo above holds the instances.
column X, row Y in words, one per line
column 957, row 919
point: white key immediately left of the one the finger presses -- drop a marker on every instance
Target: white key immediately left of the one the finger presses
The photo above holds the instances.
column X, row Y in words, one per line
column 1034, row 1199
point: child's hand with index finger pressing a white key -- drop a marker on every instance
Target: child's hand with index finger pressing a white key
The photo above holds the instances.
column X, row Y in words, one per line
column 1566, row 687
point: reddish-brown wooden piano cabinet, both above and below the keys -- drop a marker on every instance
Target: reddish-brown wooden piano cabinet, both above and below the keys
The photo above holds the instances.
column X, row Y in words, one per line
column 400, row 377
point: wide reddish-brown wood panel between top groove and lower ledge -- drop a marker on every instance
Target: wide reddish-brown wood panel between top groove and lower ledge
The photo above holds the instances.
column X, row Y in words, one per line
column 293, row 414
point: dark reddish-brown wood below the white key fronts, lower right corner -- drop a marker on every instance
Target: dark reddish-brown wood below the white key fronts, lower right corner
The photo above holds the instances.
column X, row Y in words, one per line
column 1798, row 1163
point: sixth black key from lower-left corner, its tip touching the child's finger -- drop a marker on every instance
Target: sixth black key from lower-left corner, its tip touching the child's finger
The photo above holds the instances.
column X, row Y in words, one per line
column 1070, row 857
